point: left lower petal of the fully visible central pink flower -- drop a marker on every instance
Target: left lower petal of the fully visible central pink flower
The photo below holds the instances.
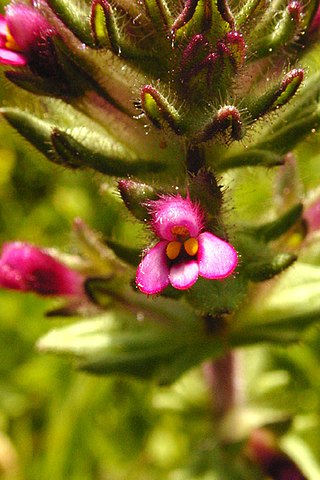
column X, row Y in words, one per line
column 153, row 270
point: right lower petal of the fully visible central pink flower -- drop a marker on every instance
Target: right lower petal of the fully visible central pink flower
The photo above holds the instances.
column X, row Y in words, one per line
column 216, row 258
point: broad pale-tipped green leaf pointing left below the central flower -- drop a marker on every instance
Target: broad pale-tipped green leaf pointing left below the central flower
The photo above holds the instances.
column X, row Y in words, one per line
column 118, row 344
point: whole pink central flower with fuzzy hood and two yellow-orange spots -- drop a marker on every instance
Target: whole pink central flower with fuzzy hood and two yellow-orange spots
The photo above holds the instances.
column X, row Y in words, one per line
column 184, row 251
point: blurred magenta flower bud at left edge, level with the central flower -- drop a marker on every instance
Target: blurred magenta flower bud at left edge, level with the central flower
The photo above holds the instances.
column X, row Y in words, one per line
column 29, row 269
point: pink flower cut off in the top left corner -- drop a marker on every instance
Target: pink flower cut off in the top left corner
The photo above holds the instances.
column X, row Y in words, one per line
column 24, row 34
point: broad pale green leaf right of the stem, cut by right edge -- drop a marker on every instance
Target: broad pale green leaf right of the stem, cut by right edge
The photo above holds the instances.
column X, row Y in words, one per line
column 281, row 311
